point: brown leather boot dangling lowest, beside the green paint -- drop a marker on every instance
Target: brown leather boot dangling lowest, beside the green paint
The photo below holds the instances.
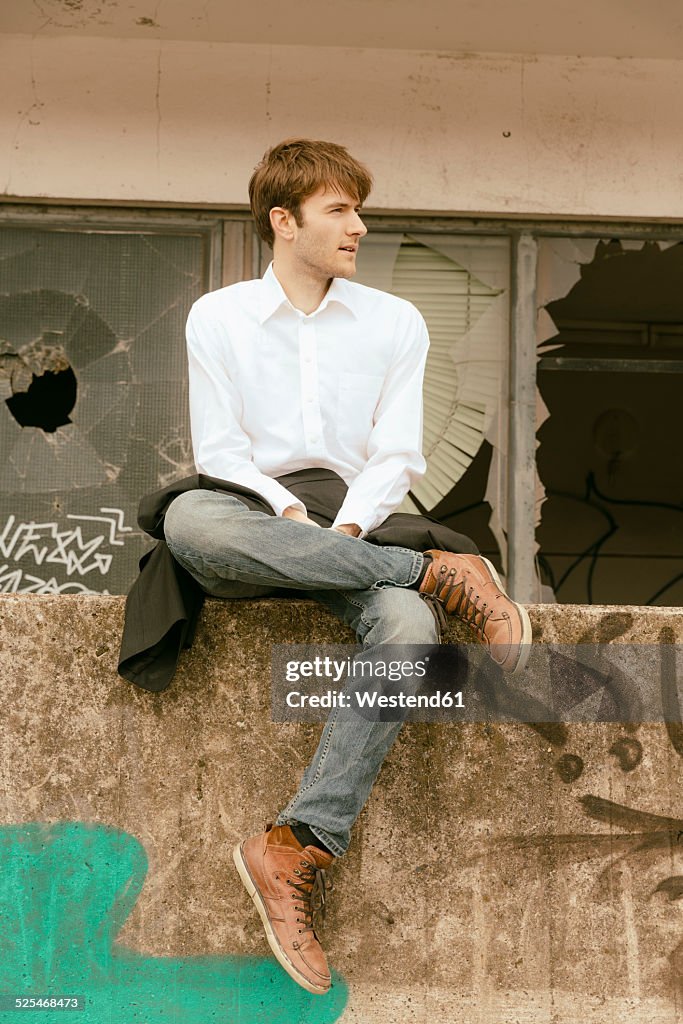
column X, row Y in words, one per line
column 287, row 883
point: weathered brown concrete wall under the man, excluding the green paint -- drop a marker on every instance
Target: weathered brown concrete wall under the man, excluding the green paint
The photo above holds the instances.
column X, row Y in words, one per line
column 479, row 887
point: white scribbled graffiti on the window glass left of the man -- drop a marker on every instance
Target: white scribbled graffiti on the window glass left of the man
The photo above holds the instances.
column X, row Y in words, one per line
column 80, row 550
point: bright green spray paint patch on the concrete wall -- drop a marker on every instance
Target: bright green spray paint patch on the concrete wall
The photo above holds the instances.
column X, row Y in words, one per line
column 66, row 891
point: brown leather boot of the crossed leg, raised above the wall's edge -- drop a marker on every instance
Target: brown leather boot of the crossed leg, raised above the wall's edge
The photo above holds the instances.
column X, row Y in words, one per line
column 468, row 587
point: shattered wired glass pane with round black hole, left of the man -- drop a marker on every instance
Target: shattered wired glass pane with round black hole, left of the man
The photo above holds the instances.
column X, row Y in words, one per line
column 111, row 308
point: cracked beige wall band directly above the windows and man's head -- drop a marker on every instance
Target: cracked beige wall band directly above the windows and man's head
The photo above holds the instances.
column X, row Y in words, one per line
column 137, row 121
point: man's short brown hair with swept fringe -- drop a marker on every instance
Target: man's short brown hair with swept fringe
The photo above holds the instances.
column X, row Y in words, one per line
column 293, row 170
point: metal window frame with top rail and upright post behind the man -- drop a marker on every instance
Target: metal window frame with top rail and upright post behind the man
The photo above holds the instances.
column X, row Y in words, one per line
column 235, row 253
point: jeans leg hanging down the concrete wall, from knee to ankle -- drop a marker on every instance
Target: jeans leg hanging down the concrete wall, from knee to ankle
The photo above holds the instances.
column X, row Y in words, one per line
column 338, row 782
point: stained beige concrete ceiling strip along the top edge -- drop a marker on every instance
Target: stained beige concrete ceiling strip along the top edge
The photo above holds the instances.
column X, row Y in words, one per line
column 584, row 28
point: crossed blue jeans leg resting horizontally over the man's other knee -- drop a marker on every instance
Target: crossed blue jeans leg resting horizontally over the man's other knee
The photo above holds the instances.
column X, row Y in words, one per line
column 222, row 542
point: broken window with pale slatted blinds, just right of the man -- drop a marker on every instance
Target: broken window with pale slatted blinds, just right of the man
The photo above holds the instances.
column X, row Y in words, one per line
column 461, row 286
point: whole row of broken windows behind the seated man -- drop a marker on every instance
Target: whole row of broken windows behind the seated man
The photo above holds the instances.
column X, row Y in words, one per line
column 94, row 390
